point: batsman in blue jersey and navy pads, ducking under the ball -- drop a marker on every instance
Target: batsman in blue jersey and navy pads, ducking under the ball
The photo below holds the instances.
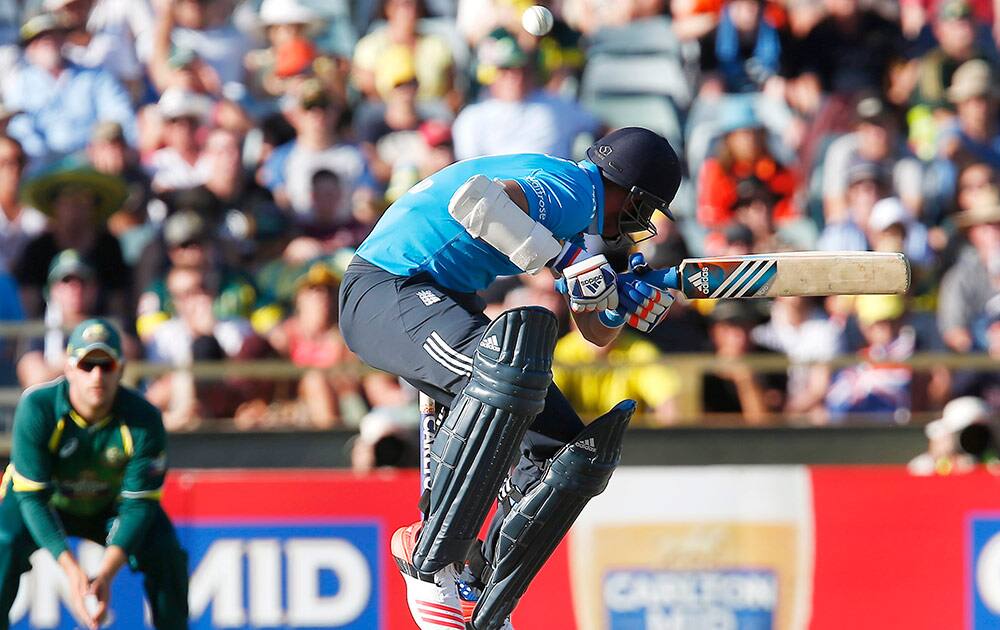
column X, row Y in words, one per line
column 409, row 306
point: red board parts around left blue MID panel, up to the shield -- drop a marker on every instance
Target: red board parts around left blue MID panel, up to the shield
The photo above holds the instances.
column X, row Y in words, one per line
column 387, row 497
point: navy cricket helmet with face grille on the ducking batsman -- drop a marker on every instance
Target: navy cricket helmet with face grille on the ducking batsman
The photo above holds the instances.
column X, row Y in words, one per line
column 644, row 164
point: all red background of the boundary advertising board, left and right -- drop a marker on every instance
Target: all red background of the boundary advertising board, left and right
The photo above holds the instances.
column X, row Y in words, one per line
column 892, row 550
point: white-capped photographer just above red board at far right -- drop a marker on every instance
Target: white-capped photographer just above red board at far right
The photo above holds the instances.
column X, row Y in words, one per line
column 944, row 455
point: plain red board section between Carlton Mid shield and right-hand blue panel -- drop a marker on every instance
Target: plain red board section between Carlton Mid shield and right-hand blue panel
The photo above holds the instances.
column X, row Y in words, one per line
column 892, row 549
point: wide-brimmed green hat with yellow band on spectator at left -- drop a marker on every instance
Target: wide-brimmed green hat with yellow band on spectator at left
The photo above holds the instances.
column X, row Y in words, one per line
column 109, row 191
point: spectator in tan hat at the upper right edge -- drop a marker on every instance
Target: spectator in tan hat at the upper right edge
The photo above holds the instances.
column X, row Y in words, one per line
column 975, row 130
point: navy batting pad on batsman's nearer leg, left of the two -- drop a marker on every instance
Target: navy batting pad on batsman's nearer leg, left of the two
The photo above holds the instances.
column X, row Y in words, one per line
column 480, row 439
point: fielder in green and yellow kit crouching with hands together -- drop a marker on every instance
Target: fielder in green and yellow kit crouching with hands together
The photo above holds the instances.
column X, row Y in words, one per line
column 88, row 459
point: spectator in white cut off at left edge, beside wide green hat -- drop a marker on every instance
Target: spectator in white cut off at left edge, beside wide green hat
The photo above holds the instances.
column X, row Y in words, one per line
column 19, row 223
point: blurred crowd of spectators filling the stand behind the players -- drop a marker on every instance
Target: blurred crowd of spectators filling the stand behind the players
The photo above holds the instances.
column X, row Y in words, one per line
column 201, row 170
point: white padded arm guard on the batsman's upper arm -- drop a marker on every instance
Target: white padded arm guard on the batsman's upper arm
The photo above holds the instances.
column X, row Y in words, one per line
column 483, row 208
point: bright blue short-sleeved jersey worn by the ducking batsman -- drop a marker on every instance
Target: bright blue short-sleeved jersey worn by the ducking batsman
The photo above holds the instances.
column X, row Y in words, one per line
column 417, row 234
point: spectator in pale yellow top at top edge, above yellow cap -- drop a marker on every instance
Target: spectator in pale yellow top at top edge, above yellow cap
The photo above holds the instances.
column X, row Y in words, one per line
column 430, row 54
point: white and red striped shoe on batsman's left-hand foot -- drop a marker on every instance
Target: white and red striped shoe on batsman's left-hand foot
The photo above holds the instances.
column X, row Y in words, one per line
column 433, row 600
